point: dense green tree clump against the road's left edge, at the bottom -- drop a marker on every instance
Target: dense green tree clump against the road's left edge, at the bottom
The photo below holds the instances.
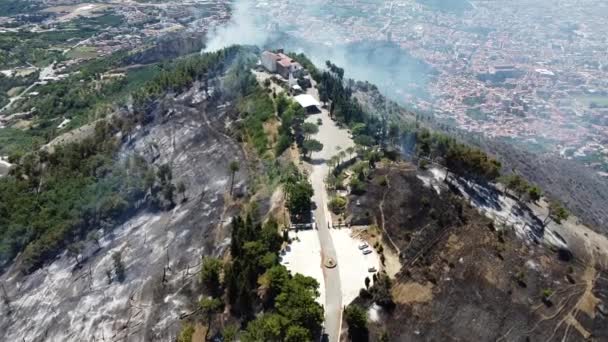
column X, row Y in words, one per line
column 291, row 312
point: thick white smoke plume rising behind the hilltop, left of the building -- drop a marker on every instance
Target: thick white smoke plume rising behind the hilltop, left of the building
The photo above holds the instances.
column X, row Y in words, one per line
column 244, row 28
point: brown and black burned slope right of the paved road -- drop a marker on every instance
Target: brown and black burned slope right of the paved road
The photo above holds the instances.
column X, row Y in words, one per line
column 465, row 278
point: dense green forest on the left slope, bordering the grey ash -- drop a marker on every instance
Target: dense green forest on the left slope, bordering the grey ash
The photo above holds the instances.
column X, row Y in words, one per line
column 51, row 199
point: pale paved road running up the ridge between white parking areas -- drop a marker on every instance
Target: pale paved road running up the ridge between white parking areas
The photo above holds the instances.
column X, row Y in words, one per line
column 333, row 140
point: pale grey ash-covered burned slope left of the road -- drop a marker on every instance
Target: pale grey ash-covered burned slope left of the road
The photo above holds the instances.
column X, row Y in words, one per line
column 161, row 250
